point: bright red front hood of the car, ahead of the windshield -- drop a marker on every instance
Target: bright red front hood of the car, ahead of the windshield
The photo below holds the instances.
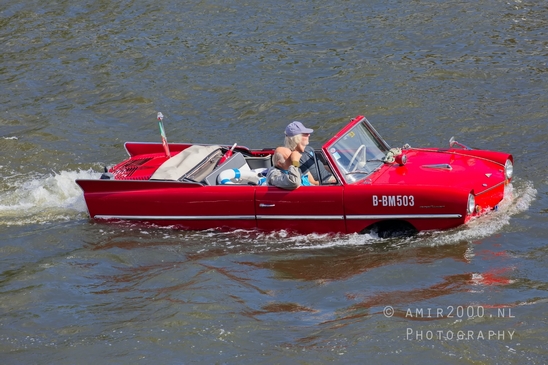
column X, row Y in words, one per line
column 475, row 170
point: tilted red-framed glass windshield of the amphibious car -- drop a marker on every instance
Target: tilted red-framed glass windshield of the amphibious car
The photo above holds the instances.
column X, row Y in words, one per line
column 358, row 152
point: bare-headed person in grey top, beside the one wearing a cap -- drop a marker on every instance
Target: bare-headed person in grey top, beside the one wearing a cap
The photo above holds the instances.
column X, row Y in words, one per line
column 285, row 174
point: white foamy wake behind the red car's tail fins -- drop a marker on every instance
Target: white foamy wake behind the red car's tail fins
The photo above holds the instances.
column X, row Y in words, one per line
column 26, row 199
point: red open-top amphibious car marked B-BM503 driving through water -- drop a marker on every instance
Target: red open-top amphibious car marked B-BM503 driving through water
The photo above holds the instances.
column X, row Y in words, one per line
column 373, row 187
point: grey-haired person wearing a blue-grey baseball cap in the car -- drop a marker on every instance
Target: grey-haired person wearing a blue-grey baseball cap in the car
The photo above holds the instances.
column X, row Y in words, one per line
column 297, row 139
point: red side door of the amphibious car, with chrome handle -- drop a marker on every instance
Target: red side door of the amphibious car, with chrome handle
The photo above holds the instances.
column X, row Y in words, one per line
column 304, row 210
